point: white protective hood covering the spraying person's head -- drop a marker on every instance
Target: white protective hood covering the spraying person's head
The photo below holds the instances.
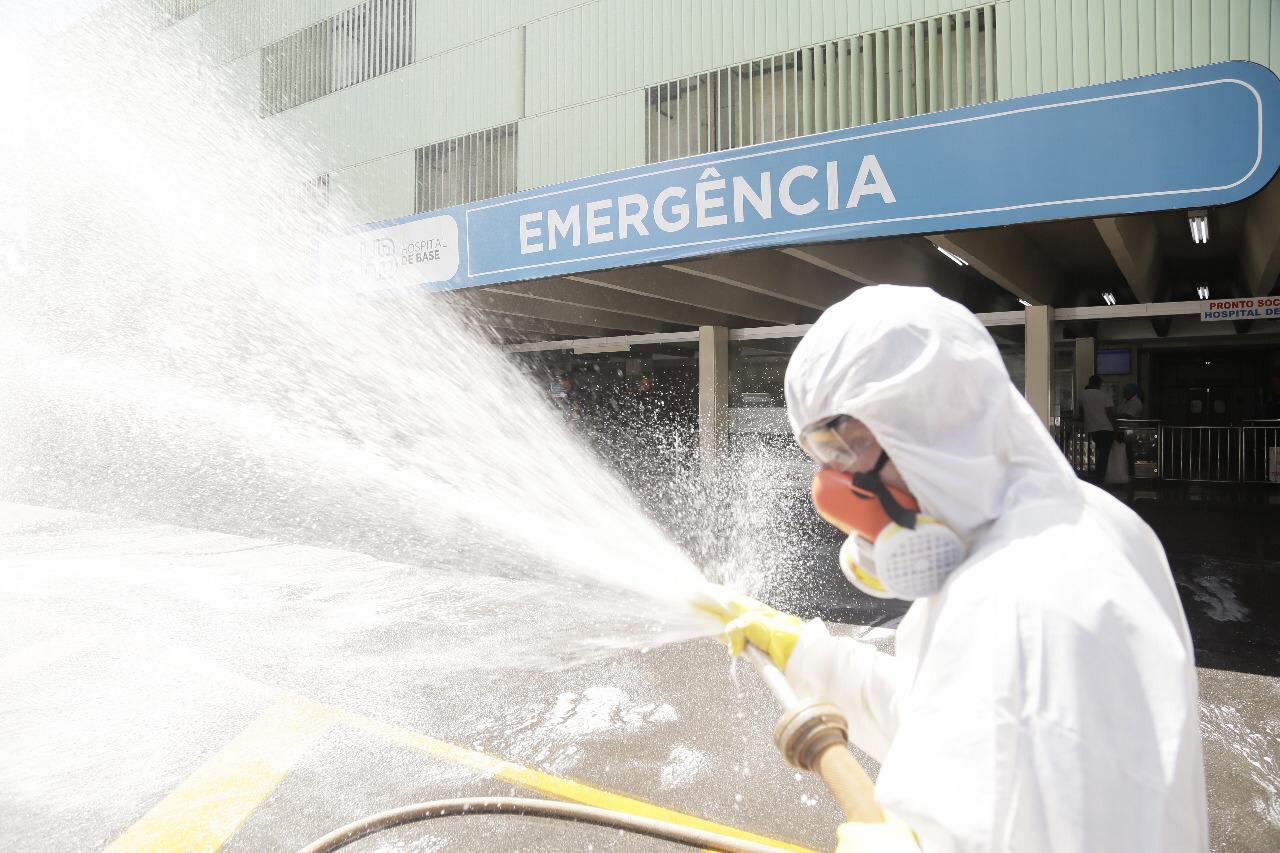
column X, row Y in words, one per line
column 963, row 437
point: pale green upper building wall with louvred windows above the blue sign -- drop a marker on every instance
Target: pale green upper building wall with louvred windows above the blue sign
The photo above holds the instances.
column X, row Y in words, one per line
column 420, row 104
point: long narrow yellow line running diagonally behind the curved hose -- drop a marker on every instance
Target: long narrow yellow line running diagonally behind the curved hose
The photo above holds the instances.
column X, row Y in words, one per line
column 550, row 784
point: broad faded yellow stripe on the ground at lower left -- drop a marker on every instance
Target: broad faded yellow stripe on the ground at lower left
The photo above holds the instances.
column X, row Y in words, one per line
column 207, row 809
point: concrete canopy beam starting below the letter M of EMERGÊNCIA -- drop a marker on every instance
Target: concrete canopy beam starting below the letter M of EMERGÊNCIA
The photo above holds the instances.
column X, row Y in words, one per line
column 702, row 293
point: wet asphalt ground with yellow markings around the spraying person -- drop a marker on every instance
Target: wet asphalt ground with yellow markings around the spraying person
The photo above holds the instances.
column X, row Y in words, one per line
column 154, row 695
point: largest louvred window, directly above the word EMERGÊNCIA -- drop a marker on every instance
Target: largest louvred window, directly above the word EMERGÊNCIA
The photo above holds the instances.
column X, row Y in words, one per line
column 922, row 67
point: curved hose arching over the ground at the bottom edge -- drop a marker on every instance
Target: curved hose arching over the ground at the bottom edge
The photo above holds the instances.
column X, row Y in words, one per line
column 528, row 808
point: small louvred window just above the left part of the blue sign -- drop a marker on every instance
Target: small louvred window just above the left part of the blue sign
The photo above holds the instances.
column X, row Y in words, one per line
column 467, row 168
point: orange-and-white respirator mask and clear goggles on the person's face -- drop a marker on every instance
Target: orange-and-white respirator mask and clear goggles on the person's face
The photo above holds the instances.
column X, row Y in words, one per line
column 893, row 551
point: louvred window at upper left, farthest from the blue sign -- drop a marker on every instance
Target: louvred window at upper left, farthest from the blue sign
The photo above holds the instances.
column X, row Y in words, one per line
column 350, row 48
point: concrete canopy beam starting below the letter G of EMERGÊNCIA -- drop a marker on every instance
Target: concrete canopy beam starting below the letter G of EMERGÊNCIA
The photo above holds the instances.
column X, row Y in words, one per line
column 772, row 275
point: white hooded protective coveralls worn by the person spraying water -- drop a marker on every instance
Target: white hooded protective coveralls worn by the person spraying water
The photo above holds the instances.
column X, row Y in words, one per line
column 1046, row 699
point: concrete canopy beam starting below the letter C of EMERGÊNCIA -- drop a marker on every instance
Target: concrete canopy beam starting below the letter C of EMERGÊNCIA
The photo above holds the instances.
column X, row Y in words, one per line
column 888, row 262
